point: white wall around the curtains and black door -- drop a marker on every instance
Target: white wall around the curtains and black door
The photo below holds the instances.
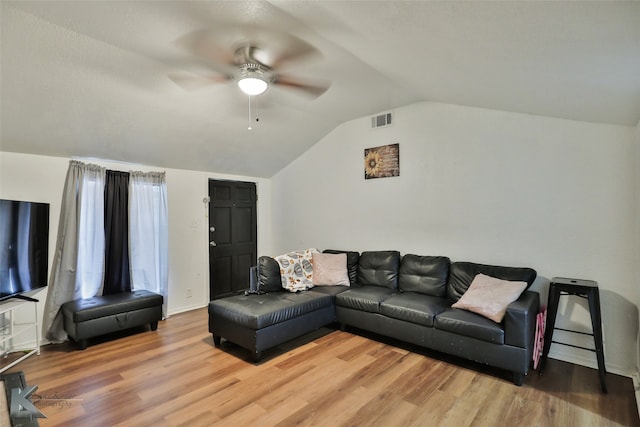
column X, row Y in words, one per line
column 41, row 178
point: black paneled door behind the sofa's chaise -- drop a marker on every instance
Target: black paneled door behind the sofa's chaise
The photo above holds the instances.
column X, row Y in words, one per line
column 232, row 236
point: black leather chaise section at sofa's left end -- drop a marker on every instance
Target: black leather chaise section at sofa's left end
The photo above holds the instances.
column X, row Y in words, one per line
column 259, row 322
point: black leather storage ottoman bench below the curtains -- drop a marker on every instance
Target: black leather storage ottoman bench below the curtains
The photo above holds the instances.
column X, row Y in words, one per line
column 100, row 315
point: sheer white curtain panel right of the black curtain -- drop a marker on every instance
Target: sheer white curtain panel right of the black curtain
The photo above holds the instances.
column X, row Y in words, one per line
column 148, row 233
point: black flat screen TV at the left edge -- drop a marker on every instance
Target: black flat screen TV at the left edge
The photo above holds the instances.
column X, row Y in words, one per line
column 24, row 247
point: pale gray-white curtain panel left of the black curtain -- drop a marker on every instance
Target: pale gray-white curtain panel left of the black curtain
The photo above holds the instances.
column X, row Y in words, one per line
column 78, row 261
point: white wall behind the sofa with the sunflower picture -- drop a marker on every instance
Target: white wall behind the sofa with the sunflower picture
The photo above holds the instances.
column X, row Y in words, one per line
column 484, row 186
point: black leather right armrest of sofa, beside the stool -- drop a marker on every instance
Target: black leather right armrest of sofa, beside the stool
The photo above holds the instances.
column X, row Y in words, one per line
column 520, row 320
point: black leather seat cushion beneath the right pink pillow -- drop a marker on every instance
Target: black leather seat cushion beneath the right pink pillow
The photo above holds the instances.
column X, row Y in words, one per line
column 465, row 323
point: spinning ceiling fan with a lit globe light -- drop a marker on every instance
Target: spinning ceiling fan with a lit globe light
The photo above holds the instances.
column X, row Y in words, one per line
column 252, row 57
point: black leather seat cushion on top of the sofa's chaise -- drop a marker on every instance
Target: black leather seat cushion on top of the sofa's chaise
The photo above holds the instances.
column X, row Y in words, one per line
column 260, row 311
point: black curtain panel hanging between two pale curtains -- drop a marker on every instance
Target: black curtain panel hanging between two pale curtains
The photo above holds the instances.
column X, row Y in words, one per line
column 117, row 277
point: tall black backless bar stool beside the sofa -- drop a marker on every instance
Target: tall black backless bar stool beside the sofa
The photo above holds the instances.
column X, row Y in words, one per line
column 588, row 289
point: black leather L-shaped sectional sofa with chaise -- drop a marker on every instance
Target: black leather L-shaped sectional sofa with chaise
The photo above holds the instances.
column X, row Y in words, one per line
column 407, row 298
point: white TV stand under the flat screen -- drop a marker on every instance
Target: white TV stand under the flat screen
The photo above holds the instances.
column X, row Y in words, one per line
column 8, row 330
